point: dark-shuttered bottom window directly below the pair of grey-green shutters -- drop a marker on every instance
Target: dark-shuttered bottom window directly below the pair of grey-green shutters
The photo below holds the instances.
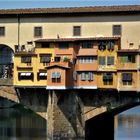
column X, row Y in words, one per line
column 108, row 79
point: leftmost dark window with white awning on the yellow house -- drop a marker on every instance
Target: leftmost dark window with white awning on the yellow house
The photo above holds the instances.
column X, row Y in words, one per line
column 25, row 76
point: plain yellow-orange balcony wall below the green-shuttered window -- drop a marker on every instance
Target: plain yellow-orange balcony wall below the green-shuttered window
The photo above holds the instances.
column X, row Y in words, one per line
column 127, row 66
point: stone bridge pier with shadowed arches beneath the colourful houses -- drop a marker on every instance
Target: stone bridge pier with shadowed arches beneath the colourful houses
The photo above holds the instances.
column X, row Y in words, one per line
column 75, row 114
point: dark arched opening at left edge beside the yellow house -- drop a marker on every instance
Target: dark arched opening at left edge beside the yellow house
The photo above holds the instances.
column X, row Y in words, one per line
column 6, row 62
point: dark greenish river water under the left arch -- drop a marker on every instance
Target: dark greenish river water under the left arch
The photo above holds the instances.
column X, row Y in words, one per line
column 21, row 124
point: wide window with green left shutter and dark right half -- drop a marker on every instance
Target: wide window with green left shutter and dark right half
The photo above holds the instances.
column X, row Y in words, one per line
column 128, row 58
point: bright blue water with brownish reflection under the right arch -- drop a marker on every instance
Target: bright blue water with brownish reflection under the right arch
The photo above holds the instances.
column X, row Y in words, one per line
column 128, row 125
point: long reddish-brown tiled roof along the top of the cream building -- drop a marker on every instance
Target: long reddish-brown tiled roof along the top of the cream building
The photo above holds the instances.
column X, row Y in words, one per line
column 96, row 9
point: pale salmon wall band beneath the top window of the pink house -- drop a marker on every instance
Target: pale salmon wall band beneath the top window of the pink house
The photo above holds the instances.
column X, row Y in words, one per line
column 87, row 52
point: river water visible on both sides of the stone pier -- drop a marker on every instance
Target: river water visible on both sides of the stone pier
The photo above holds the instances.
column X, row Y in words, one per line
column 20, row 123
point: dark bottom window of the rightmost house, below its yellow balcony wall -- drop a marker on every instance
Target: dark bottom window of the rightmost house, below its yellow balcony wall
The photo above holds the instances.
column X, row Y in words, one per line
column 127, row 78
